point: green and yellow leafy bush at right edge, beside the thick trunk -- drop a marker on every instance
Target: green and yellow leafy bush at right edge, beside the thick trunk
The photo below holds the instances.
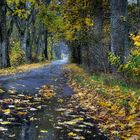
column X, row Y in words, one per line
column 131, row 68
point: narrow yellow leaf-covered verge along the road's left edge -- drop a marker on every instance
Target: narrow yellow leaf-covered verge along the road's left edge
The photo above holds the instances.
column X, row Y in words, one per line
column 22, row 68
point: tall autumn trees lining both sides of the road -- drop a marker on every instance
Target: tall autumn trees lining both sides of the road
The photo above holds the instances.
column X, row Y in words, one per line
column 96, row 31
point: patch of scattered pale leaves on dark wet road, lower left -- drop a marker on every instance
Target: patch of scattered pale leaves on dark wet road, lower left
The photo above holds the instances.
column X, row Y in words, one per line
column 15, row 109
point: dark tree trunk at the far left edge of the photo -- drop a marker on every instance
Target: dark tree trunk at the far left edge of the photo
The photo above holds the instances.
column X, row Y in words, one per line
column 4, row 41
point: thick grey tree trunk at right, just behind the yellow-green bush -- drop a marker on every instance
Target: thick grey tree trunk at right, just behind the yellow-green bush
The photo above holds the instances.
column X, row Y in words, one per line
column 119, row 32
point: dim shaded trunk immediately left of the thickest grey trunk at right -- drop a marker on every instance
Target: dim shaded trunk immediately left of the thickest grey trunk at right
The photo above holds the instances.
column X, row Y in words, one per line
column 97, row 54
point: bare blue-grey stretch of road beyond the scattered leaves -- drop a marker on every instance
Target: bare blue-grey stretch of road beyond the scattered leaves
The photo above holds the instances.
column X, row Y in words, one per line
column 30, row 82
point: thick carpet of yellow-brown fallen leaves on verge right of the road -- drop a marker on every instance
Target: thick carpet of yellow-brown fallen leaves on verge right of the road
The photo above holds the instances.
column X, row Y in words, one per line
column 117, row 113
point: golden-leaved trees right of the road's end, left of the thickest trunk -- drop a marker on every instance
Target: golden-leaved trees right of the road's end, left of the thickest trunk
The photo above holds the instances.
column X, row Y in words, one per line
column 85, row 28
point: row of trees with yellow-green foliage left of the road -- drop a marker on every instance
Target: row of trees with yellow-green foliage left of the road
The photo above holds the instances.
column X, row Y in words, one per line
column 26, row 27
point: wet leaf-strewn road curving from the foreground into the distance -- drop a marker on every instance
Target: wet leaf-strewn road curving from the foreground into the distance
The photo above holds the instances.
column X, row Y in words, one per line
column 50, row 120
